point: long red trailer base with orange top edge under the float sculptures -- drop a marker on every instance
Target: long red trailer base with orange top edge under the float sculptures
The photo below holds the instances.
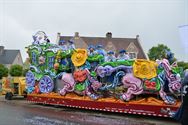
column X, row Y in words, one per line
column 145, row 106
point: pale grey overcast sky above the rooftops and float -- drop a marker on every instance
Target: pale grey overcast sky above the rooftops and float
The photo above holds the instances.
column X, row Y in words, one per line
column 156, row 21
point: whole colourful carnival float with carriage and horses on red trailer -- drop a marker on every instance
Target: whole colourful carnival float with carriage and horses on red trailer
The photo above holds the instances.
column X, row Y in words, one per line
column 98, row 80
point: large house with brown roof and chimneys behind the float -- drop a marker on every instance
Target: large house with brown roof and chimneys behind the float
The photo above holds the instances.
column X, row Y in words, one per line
column 131, row 45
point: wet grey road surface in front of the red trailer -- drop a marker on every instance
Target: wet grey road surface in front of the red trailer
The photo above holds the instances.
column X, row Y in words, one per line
column 19, row 112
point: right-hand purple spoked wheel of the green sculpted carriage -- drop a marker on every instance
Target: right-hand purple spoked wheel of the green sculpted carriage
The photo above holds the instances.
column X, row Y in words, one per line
column 46, row 84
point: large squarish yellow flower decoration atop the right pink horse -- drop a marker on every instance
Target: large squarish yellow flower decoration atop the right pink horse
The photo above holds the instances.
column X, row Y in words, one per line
column 144, row 69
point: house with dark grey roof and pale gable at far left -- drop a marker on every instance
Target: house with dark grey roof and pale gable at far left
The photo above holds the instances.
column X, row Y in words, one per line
column 10, row 57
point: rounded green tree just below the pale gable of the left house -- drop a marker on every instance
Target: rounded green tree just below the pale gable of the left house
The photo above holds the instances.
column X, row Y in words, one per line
column 16, row 70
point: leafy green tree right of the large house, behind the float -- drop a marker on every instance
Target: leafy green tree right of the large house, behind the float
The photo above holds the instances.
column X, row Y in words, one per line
column 158, row 52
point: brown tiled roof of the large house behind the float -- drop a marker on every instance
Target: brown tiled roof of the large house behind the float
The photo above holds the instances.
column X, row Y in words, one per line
column 118, row 43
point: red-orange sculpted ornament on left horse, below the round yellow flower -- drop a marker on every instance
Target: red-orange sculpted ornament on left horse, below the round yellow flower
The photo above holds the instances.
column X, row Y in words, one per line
column 80, row 75
